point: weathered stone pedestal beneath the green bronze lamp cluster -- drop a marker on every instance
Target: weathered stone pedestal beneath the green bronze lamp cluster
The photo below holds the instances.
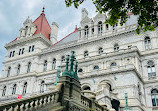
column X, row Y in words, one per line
column 71, row 90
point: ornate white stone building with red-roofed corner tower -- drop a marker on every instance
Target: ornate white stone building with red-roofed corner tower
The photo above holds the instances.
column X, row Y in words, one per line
column 113, row 60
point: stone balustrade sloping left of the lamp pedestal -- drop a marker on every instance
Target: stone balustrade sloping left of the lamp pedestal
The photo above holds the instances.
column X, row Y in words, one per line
column 32, row 103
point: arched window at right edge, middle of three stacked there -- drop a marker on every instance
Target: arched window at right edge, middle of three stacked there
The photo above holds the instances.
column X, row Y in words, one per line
column 151, row 69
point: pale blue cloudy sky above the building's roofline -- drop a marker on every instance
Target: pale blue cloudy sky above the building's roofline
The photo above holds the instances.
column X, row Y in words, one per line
column 14, row 12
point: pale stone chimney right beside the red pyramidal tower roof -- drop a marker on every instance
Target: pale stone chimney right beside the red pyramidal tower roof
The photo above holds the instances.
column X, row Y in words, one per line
column 54, row 32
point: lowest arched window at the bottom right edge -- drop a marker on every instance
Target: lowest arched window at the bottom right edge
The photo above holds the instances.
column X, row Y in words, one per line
column 154, row 97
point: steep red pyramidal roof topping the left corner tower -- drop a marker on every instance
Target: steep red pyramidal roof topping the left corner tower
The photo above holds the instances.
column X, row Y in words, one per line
column 43, row 26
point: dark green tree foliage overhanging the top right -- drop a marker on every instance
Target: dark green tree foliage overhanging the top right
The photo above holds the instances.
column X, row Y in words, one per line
column 119, row 9
